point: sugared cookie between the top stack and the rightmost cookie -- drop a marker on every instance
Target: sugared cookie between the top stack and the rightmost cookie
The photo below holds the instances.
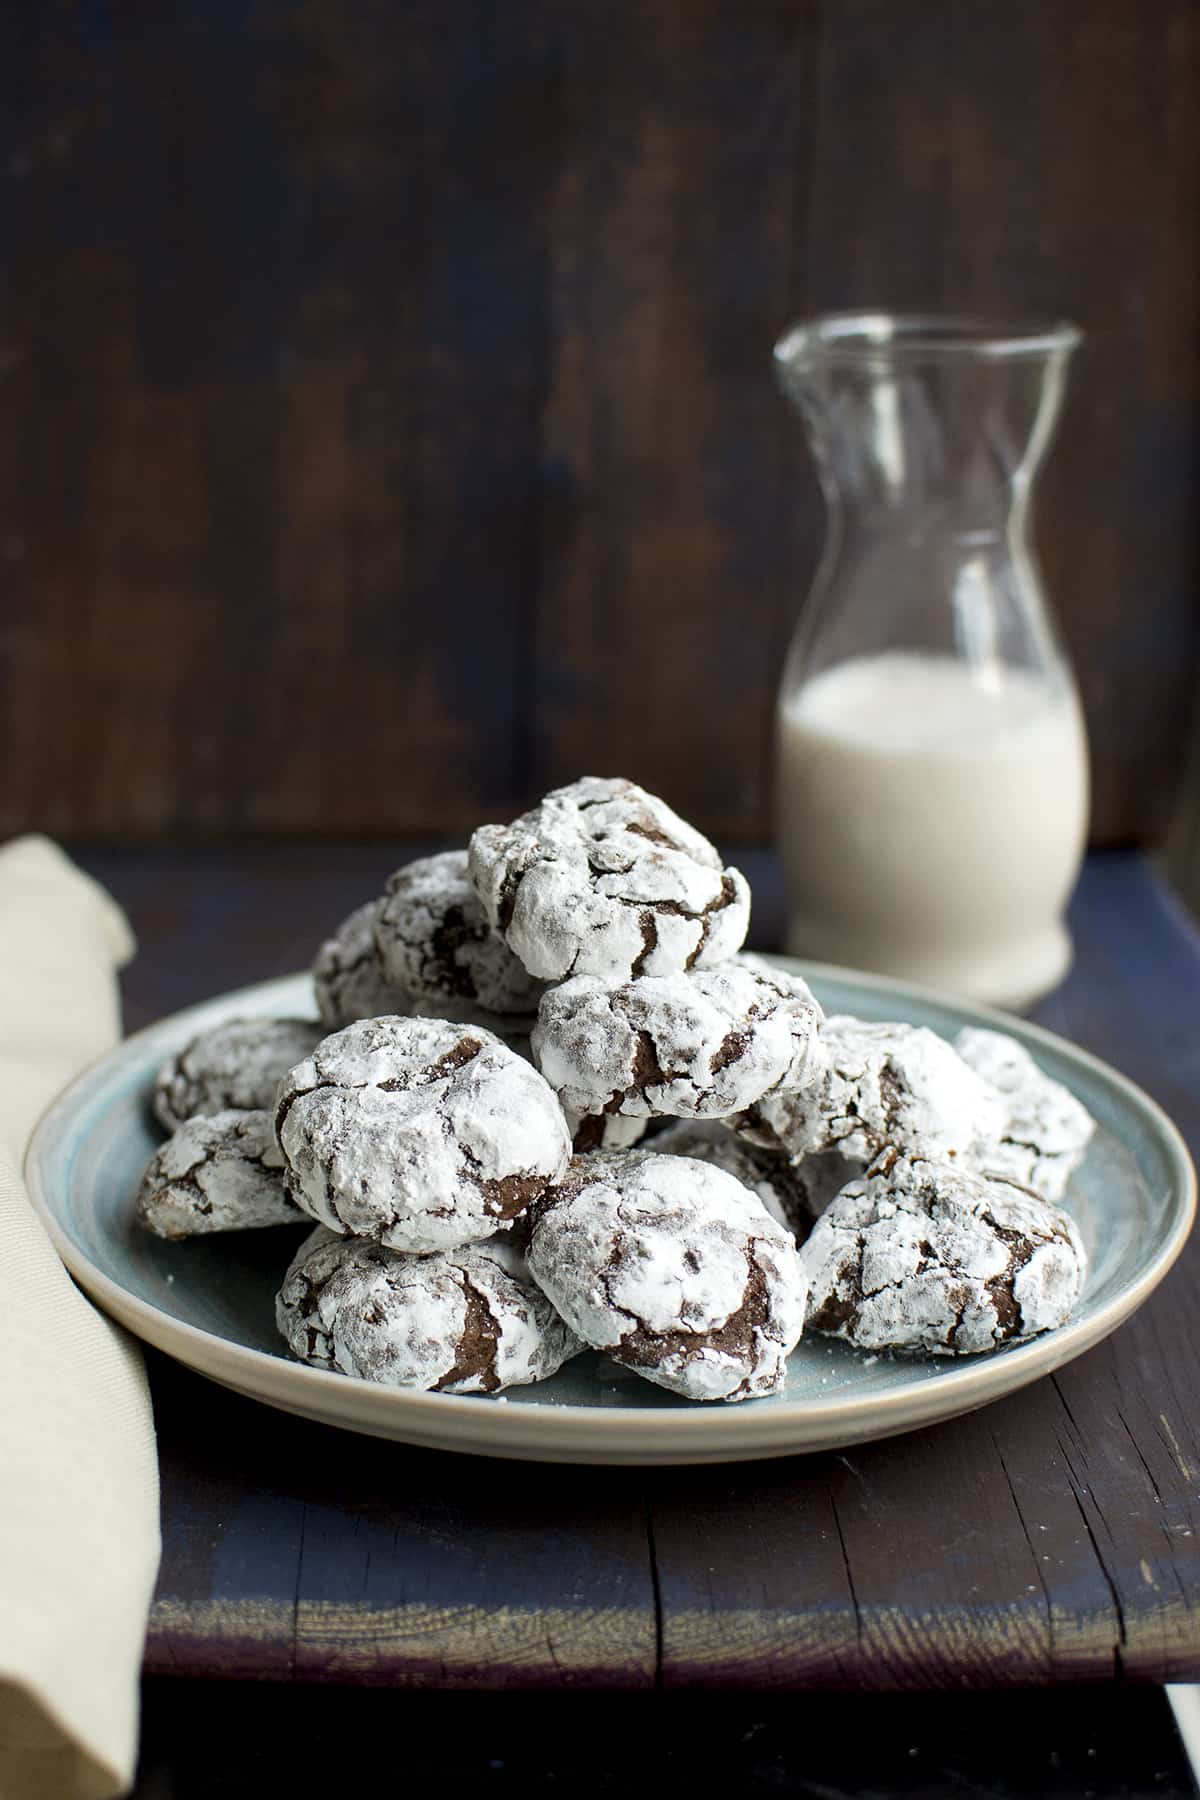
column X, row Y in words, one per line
column 884, row 1084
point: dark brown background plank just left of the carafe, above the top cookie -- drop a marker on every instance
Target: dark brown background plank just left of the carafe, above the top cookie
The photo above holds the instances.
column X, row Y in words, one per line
column 685, row 514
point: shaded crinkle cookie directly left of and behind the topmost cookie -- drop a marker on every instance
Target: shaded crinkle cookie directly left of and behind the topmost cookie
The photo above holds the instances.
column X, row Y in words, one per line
column 436, row 942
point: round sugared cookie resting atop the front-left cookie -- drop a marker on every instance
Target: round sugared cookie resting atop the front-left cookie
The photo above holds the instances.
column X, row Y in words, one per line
column 418, row 1133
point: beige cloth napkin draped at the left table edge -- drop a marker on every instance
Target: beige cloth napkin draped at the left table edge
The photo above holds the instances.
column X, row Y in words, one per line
column 78, row 1470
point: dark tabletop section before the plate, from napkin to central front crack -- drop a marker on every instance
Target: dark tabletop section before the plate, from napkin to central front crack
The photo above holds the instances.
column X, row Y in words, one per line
column 298, row 1552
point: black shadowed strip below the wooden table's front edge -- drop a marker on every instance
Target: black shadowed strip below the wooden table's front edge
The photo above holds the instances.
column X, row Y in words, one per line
column 255, row 1740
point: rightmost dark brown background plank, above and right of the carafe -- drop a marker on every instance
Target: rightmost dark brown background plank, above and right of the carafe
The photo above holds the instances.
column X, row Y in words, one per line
column 1034, row 161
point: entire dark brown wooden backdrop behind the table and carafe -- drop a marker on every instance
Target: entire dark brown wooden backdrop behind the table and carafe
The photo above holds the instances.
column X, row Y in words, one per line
column 386, row 413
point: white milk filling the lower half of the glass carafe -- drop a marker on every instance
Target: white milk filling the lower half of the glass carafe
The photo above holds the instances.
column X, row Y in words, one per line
column 933, row 822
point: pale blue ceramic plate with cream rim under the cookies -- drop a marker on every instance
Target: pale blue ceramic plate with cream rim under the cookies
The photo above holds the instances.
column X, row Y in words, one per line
column 210, row 1302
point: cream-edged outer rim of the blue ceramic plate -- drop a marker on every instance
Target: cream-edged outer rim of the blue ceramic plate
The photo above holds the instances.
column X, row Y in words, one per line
column 778, row 1428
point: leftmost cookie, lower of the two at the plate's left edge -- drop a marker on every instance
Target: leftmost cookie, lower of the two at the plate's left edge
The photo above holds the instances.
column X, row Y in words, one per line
column 217, row 1174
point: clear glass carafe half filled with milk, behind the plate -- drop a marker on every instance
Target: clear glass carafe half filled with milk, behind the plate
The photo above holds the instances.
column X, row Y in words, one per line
column 933, row 780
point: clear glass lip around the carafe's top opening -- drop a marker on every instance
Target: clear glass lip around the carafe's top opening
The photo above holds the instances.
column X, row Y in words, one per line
column 881, row 339
